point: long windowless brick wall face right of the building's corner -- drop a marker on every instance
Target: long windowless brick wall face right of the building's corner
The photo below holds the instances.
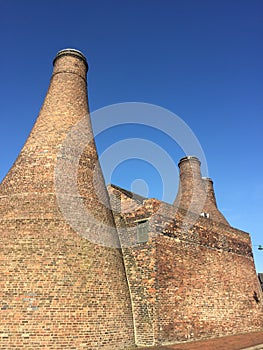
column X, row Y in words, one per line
column 207, row 283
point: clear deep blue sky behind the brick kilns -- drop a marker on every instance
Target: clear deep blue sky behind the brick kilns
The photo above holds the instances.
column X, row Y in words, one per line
column 200, row 61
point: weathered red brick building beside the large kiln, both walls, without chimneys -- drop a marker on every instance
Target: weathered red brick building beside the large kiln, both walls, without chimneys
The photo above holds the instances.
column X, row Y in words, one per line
column 197, row 276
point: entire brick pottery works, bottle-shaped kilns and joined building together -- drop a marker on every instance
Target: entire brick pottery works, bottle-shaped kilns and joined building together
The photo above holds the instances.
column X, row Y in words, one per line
column 183, row 272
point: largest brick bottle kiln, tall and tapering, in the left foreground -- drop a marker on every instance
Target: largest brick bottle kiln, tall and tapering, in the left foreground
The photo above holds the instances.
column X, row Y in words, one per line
column 59, row 290
